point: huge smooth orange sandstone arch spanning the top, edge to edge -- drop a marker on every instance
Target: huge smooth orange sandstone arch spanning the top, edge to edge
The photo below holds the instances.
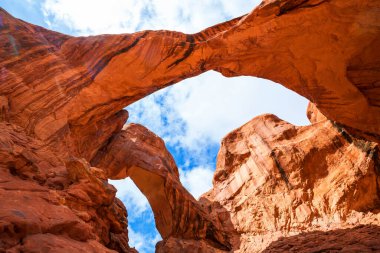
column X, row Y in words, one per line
column 86, row 80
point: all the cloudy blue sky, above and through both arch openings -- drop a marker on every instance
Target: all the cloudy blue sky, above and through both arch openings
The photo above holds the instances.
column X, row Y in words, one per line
column 192, row 116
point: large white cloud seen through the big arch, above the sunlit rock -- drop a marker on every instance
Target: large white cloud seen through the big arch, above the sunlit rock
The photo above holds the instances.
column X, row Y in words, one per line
column 213, row 105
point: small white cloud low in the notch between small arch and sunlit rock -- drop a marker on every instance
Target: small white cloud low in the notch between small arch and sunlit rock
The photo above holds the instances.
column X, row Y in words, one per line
column 197, row 180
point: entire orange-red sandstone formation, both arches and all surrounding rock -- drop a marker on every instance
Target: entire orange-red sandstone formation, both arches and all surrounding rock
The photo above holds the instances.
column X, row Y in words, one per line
column 62, row 136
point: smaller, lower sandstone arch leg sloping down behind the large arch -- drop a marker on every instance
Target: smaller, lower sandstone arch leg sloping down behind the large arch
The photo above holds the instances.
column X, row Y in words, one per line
column 141, row 155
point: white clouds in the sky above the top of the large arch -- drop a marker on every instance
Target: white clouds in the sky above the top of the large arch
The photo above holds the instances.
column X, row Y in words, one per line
column 86, row 17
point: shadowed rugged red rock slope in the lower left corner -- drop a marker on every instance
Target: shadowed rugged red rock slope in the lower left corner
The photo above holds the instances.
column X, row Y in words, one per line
column 47, row 203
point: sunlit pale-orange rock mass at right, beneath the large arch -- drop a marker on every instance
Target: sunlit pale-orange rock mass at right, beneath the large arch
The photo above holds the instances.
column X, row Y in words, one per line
column 276, row 179
